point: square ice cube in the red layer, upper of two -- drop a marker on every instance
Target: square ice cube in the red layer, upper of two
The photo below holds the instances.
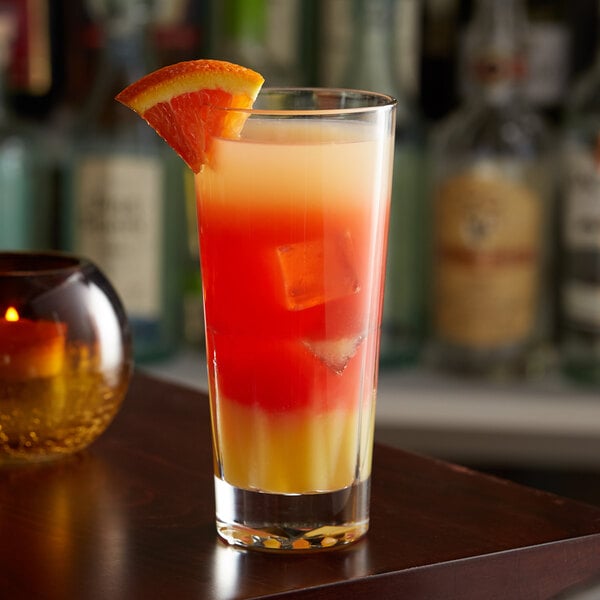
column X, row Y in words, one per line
column 318, row 271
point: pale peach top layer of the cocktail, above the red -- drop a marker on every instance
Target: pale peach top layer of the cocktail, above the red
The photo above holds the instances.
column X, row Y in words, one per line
column 301, row 162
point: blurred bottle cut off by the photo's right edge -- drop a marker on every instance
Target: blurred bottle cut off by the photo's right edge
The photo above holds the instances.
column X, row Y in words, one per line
column 580, row 212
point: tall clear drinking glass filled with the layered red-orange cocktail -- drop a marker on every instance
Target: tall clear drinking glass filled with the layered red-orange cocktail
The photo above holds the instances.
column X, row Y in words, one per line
column 293, row 224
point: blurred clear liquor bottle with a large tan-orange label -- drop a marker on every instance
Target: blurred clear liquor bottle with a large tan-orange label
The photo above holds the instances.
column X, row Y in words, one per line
column 491, row 211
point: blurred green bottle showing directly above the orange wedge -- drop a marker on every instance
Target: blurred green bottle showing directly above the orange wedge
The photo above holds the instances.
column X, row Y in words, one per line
column 263, row 35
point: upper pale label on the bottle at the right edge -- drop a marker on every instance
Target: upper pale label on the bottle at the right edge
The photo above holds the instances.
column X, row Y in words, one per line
column 582, row 207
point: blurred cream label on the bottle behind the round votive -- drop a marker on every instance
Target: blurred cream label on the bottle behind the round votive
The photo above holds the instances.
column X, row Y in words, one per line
column 118, row 226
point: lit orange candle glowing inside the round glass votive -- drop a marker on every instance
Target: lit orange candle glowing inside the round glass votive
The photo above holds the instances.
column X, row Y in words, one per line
column 30, row 349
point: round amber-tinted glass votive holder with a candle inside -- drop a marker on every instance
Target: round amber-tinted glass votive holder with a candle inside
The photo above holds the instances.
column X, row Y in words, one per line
column 65, row 355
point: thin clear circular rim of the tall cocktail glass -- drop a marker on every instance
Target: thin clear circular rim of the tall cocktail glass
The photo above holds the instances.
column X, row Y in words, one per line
column 381, row 101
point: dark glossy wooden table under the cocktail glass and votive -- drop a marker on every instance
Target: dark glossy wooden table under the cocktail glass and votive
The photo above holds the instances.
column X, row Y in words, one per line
column 132, row 517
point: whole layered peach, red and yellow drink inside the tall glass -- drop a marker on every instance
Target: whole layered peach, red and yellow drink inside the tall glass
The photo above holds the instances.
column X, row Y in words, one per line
column 291, row 238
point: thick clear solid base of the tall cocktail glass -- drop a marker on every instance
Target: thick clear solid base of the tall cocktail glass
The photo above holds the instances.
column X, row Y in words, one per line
column 292, row 522
